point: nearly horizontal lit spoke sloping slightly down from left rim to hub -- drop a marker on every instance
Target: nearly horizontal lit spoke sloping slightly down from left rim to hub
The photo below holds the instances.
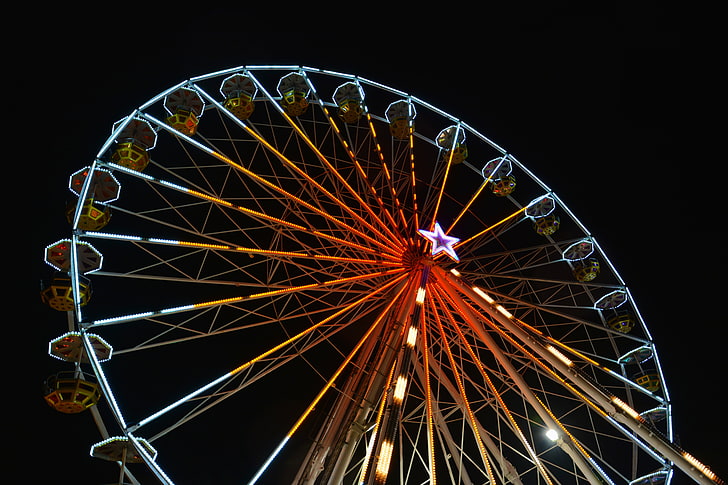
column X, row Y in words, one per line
column 238, row 249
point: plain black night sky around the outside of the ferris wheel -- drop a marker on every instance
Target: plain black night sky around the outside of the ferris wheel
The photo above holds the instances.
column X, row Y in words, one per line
column 609, row 99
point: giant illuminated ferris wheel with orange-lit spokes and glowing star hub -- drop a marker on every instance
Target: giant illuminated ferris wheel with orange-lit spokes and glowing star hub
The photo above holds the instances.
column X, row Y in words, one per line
column 280, row 274
